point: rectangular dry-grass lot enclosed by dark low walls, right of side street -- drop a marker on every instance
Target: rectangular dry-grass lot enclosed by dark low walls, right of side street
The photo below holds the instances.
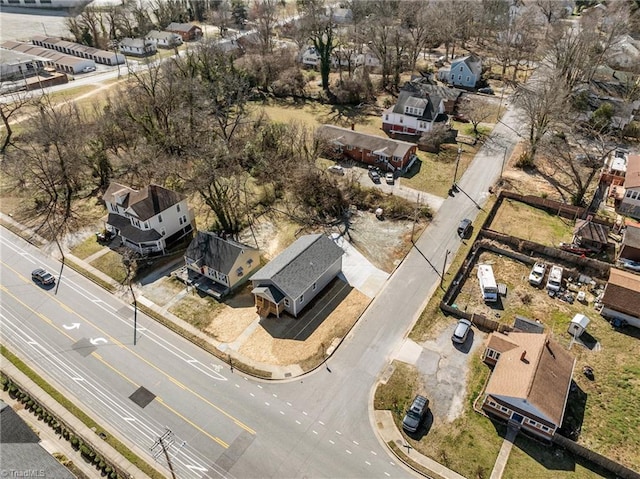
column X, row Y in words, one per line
column 526, row 222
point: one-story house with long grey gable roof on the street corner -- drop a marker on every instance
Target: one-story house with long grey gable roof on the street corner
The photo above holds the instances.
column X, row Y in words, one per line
column 297, row 275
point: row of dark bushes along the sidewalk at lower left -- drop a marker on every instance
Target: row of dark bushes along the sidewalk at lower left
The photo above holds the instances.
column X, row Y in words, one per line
column 88, row 450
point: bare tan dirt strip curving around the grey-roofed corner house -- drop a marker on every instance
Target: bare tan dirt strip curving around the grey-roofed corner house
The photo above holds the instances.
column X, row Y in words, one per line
column 262, row 346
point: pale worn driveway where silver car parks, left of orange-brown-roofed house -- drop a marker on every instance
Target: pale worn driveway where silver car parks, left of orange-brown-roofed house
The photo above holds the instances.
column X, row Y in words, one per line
column 443, row 367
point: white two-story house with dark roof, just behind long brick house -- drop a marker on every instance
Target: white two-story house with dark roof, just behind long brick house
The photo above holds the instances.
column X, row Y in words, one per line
column 415, row 113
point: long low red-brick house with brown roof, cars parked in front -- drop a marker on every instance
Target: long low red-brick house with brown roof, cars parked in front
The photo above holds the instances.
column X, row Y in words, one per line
column 384, row 153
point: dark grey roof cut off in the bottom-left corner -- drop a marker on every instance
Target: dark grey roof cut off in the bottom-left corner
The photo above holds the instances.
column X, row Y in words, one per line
column 20, row 451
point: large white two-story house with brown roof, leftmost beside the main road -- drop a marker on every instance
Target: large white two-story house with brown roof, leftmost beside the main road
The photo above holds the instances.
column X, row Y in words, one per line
column 148, row 220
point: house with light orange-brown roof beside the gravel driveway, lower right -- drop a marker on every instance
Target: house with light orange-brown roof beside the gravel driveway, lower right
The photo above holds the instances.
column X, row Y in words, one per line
column 530, row 382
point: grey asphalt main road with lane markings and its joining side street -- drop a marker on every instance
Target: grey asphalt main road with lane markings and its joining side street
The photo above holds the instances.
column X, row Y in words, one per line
column 223, row 424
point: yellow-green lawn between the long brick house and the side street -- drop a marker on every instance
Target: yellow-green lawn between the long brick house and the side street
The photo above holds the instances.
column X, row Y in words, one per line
column 434, row 172
